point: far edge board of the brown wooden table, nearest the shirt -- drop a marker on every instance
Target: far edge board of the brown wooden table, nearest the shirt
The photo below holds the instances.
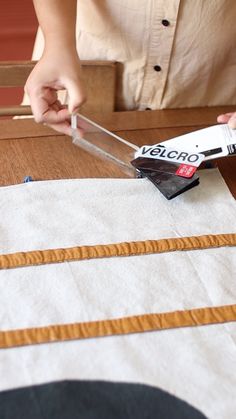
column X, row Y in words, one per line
column 124, row 121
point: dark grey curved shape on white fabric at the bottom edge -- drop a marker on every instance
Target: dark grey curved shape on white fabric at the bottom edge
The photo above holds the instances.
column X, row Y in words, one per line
column 93, row 400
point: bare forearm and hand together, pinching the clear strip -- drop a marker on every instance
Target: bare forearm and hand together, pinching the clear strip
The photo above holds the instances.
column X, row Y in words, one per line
column 58, row 68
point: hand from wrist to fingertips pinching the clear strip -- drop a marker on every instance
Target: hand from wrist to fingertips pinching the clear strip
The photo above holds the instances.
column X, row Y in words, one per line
column 55, row 71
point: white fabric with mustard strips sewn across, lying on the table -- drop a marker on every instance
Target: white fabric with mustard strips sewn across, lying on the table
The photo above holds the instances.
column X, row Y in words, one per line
column 196, row 364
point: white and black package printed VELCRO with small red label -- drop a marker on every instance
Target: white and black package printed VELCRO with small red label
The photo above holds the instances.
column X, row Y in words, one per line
column 182, row 155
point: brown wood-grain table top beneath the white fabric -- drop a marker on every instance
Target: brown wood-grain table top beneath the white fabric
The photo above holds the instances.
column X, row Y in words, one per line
column 27, row 148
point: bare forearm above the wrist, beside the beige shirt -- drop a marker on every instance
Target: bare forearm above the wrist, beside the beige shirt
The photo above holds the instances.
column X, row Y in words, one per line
column 57, row 19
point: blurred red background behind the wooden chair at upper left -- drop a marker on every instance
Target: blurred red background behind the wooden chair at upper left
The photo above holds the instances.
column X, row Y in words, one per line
column 18, row 27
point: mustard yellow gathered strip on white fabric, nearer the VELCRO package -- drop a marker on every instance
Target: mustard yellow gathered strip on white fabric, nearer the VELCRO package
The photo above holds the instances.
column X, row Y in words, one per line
column 39, row 257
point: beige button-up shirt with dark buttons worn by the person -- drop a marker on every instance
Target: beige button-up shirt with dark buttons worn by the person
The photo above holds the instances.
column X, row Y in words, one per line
column 172, row 53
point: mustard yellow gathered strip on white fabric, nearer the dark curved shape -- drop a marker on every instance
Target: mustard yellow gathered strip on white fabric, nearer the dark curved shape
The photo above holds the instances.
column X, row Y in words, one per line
column 120, row 326
